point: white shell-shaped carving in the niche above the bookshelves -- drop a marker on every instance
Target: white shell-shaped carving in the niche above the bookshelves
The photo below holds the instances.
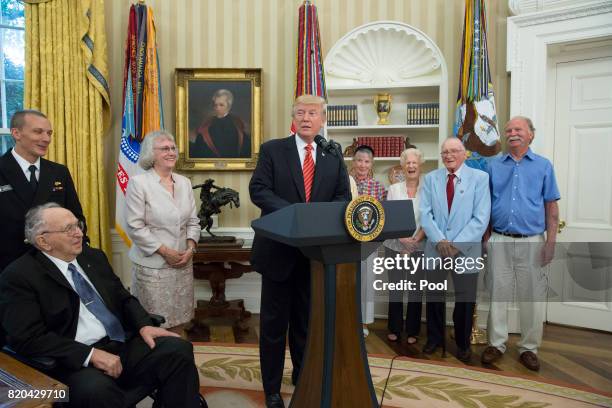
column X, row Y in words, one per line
column 385, row 54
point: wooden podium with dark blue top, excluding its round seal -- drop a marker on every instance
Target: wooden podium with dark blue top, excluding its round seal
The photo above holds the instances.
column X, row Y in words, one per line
column 335, row 371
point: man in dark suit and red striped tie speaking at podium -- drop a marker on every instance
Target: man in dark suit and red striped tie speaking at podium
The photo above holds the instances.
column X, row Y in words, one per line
column 290, row 170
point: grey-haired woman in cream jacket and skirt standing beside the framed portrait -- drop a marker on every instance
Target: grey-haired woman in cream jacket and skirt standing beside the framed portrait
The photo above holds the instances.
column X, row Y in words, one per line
column 164, row 227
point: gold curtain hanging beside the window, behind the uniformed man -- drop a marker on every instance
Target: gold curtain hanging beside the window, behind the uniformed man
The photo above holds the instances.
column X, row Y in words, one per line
column 66, row 78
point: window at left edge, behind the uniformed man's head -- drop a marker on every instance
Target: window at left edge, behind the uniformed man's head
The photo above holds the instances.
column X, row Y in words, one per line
column 12, row 62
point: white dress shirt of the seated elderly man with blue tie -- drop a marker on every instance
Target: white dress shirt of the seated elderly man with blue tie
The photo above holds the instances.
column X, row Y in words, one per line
column 89, row 328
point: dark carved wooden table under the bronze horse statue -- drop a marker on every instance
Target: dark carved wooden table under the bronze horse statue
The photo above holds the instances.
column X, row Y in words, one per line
column 217, row 263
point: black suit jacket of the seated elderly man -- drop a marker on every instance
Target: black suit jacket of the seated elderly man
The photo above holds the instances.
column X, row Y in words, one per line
column 39, row 310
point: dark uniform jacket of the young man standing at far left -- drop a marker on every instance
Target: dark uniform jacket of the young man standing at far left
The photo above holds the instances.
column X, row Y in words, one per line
column 16, row 198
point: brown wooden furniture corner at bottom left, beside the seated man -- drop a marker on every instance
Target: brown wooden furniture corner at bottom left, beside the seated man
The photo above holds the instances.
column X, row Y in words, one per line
column 35, row 379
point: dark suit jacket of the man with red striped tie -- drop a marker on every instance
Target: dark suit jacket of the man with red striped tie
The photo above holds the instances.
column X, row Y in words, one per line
column 278, row 182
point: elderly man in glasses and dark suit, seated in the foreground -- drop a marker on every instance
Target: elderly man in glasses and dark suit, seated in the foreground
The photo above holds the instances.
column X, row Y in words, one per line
column 62, row 301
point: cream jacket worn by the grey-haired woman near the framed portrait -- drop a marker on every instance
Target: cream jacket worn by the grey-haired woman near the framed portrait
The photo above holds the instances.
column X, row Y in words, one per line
column 155, row 218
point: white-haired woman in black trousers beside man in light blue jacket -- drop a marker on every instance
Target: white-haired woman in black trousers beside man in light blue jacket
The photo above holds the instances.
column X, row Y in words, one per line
column 411, row 161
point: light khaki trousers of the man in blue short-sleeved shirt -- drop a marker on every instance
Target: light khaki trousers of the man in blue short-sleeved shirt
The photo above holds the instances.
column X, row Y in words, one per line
column 516, row 262
